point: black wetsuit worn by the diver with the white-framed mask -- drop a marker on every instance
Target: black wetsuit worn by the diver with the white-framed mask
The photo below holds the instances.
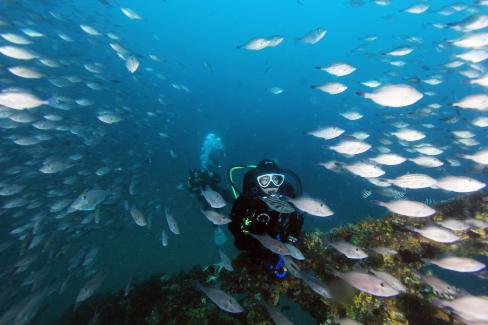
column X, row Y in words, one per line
column 251, row 215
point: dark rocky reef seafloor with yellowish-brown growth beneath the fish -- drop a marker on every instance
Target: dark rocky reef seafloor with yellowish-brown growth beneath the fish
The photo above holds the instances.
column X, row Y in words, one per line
column 173, row 300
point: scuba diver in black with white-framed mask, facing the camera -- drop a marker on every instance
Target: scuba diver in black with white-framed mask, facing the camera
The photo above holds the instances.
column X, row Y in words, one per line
column 261, row 208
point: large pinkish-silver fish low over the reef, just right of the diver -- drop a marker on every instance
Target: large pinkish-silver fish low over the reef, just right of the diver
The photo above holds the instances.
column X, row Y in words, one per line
column 367, row 283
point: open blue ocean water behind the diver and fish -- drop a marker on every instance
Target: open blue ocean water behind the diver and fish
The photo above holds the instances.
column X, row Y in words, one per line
column 199, row 82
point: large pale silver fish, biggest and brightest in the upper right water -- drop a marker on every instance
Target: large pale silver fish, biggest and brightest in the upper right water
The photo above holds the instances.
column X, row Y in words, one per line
column 394, row 95
